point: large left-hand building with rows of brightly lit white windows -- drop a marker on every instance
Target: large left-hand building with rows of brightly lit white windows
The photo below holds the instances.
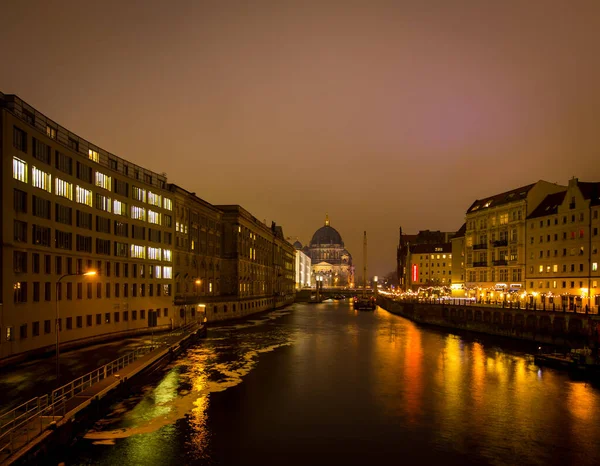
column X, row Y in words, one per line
column 71, row 207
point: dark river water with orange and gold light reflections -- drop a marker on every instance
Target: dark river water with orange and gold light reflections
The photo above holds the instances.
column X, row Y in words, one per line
column 324, row 384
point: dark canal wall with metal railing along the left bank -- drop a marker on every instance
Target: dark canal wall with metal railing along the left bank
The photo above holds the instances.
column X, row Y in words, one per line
column 85, row 410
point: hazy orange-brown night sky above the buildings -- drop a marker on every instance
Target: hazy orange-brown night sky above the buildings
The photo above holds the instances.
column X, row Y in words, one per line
column 383, row 114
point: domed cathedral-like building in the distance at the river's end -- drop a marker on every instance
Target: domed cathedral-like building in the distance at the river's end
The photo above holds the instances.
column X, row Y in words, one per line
column 329, row 257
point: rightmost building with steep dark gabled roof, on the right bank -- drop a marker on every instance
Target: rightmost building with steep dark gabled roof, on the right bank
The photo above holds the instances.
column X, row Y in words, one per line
column 563, row 241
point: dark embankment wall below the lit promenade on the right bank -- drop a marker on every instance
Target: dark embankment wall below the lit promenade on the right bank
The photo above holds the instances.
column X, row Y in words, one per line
column 571, row 330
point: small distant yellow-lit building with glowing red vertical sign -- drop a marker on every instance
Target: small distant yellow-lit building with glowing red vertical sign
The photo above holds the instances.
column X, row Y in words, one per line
column 430, row 265
